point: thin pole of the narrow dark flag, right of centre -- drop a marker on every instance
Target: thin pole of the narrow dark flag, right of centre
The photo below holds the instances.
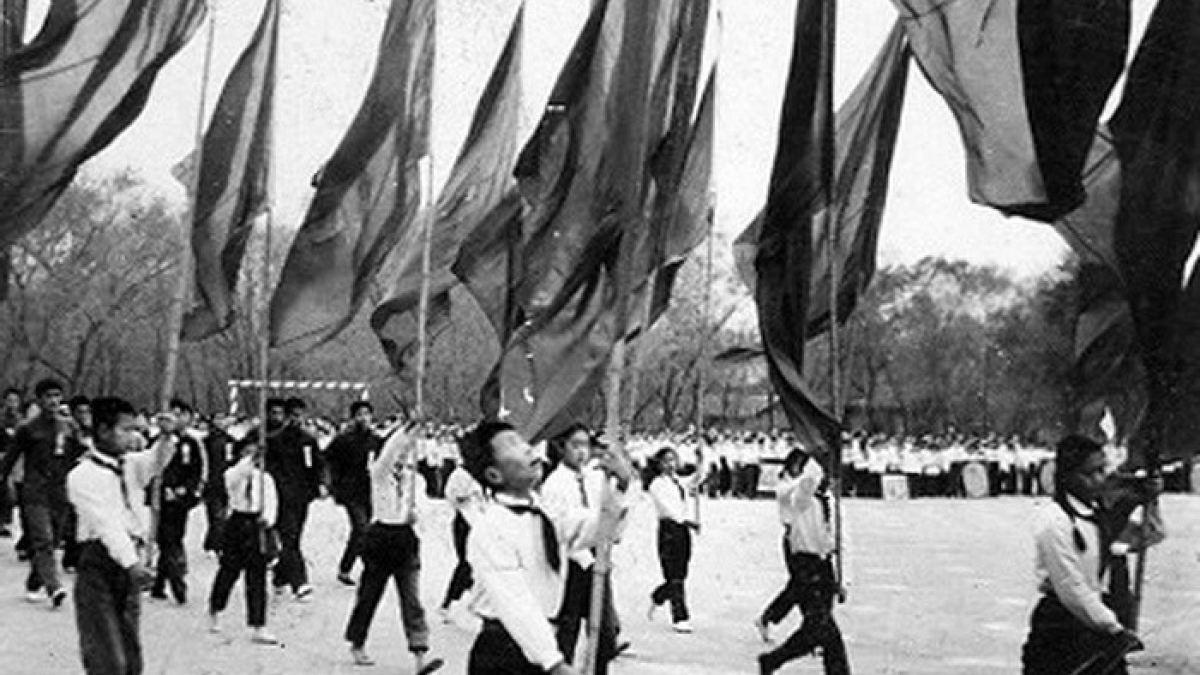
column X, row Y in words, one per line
column 832, row 246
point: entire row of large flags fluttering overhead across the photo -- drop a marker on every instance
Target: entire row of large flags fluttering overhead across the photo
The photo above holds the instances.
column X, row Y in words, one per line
column 572, row 243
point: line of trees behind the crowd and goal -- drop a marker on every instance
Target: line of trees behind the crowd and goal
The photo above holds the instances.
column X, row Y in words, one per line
column 933, row 347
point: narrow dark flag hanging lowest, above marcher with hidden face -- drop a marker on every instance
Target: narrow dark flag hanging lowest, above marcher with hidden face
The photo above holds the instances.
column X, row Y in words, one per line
column 799, row 190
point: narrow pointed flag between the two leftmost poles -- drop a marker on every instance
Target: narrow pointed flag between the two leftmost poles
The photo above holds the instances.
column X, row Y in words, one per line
column 235, row 175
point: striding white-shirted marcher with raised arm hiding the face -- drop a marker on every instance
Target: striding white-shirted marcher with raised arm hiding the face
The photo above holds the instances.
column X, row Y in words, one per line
column 803, row 498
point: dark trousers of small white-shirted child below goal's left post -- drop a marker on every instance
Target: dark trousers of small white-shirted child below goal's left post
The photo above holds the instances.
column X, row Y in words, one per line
column 242, row 557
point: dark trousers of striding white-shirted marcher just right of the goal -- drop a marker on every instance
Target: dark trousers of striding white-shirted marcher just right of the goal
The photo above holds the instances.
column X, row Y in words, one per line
column 391, row 552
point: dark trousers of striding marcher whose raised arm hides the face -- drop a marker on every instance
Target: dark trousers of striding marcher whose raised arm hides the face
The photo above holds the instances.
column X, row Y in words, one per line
column 812, row 589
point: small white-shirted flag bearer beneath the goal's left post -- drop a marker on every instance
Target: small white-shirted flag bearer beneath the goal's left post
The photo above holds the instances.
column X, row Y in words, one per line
column 245, row 552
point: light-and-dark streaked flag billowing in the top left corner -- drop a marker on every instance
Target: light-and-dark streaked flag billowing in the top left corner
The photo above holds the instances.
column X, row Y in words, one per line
column 75, row 88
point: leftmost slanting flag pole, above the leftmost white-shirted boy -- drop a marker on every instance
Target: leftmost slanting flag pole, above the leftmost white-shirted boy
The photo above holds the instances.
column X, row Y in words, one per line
column 184, row 283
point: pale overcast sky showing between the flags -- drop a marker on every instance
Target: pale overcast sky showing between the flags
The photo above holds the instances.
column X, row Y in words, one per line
column 329, row 47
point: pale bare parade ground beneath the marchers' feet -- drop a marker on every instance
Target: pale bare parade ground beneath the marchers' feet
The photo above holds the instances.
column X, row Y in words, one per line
column 937, row 588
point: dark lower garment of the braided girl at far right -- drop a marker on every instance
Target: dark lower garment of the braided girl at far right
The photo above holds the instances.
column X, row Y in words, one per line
column 1059, row 643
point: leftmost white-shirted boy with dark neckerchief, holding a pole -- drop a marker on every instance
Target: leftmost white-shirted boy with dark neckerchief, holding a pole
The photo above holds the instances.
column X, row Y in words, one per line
column 111, row 575
